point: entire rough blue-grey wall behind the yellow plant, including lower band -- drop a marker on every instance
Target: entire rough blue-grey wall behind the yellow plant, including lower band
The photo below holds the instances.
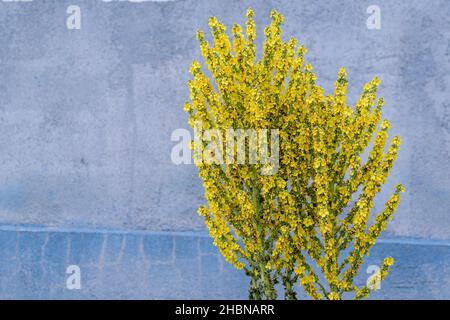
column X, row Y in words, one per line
column 86, row 117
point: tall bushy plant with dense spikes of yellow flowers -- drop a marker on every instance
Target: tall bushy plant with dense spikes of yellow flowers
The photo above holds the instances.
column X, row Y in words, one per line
column 308, row 223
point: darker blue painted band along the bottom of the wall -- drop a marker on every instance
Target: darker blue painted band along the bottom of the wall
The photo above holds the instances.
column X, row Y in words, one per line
column 177, row 265
